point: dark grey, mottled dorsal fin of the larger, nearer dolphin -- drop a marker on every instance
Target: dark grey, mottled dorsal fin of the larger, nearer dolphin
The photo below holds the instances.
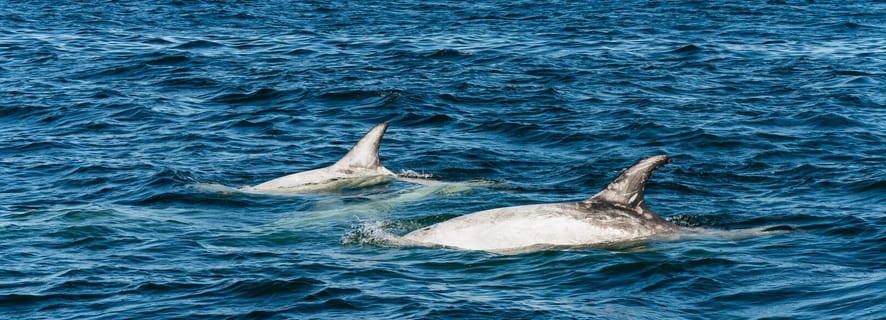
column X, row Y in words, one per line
column 627, row 190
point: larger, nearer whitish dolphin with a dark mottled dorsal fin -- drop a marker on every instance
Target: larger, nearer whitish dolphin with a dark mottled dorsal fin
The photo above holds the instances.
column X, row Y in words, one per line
column 618, row 213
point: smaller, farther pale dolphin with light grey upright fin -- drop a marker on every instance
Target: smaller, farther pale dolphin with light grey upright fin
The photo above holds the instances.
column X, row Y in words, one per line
column 360, row 167
